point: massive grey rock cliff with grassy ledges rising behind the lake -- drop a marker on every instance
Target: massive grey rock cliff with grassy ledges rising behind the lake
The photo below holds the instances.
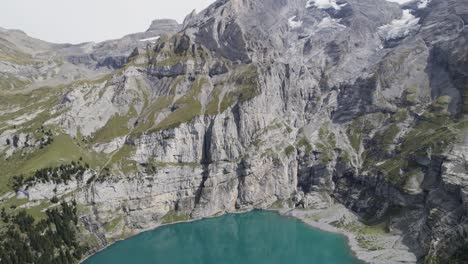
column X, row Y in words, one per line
column 291, row 102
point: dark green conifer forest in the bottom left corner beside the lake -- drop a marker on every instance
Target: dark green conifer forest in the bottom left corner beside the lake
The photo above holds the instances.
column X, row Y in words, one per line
column 51, row 240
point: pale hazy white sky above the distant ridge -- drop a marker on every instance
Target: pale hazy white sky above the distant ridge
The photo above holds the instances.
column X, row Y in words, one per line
column 76, row 21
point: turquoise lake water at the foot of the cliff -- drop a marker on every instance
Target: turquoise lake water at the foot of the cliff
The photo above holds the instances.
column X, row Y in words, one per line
column 257, row 237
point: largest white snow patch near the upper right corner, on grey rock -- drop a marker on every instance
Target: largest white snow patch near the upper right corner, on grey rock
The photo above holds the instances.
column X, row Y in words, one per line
column 400, row 28
